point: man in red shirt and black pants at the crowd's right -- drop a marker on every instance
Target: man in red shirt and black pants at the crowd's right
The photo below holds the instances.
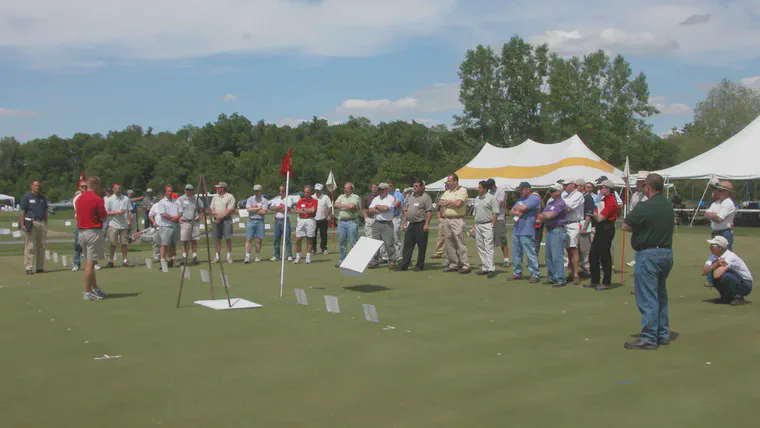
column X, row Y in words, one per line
column 605, row 235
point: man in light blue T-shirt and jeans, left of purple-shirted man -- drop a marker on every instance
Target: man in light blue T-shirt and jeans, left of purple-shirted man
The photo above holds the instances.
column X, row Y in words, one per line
column 524, row 214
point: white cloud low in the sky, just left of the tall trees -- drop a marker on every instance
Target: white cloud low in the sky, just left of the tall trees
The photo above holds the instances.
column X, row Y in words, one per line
column 435, row 98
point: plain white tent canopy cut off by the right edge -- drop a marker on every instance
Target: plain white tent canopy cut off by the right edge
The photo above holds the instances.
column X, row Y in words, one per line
column 734, row 159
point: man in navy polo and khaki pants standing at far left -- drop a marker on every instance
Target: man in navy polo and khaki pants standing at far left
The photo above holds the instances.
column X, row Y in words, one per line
column 33, row 222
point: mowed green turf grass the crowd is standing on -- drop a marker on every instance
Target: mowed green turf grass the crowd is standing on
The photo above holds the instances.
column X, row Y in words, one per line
column 465, row 350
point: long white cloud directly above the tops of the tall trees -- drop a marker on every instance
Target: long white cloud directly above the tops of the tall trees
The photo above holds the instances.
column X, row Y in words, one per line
column 609, row 39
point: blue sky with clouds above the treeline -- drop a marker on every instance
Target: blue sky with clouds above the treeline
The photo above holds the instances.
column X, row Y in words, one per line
column 91, row 66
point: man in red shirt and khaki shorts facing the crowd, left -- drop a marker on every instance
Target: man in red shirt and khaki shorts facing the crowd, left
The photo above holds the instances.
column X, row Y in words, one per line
column 91, row 213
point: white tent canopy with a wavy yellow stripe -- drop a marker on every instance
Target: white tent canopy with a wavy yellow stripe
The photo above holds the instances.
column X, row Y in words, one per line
column 539, row 164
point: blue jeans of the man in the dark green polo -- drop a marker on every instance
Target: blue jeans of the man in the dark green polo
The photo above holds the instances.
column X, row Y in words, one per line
column 650, row 274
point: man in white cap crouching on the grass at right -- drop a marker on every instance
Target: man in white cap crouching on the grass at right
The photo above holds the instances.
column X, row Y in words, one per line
column 731, row 276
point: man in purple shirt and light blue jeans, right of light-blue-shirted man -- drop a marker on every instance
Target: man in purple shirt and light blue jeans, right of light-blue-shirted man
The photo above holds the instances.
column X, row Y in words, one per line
column 554, row 218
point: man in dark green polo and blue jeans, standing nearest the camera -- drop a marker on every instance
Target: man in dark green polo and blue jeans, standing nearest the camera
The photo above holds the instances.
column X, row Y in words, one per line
column 652, row 225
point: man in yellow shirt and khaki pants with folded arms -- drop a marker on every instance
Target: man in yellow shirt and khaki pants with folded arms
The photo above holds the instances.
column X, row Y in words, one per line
column 453, row 206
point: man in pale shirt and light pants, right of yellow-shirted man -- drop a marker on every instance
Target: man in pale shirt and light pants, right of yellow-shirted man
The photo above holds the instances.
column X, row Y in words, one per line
column 486, row 211
